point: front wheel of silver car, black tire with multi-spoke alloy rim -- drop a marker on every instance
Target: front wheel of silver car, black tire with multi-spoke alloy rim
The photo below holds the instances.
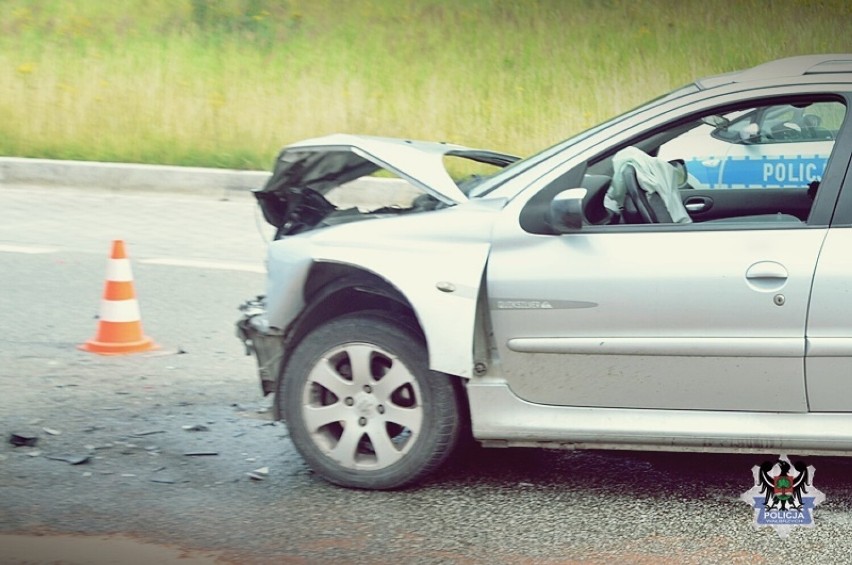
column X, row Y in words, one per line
column 404, row 419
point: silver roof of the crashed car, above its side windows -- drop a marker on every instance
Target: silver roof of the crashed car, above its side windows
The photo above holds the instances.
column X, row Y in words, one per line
column 789, row 68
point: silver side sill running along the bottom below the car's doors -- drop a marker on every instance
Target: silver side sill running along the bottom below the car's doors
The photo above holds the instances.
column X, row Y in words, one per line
column 504, row 420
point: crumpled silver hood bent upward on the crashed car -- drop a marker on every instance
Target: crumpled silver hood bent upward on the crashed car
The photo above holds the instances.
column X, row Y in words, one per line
column 323, row 163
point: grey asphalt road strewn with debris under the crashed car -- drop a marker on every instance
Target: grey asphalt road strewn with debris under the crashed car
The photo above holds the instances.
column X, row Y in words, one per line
column 141, row 496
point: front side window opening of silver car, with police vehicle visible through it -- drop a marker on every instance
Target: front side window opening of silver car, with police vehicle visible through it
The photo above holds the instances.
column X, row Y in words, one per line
column 759, row 165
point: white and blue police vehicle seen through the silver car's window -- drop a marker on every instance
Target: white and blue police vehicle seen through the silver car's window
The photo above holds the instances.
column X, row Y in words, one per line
column 781, row 146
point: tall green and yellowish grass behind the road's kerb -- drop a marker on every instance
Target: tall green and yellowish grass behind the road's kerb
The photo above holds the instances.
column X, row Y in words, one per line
column 226, row 83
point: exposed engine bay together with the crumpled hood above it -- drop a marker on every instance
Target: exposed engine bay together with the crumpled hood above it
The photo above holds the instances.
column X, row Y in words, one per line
column 312, row 183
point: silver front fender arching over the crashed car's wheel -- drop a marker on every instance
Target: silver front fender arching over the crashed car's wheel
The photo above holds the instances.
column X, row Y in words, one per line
column 435, row 260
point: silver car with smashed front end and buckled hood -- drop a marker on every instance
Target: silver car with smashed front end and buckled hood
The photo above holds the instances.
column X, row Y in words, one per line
column 595, row 295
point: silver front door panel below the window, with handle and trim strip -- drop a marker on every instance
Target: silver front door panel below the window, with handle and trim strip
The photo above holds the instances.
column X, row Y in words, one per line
column 701, row 316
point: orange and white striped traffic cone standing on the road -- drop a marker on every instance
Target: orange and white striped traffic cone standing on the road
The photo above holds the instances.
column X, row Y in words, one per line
column 120, row 324
